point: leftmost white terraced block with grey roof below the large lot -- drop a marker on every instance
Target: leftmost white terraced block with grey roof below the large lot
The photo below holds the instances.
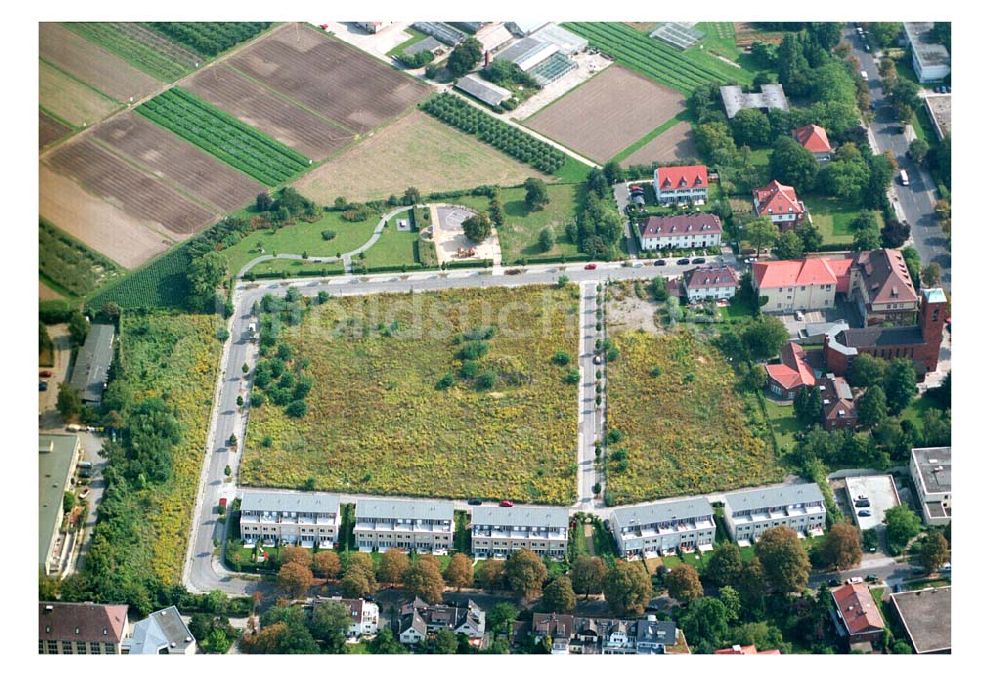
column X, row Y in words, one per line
column 289, row 518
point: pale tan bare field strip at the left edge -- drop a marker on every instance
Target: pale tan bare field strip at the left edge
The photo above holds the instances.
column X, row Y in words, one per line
column 104, row 227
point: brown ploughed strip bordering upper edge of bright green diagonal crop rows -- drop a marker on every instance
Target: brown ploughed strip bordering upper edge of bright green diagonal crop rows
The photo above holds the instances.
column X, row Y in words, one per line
column 262, row 109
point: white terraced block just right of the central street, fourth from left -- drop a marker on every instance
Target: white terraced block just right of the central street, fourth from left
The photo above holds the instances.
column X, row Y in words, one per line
column 664, row 527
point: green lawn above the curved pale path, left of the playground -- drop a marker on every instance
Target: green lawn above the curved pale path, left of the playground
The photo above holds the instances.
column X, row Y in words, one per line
column 302, row 237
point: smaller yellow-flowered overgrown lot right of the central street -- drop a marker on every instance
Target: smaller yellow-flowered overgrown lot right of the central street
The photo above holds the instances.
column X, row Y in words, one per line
column 684, row 431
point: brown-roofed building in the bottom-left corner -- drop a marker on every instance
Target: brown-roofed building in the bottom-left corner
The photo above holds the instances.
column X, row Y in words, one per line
column 81, row 628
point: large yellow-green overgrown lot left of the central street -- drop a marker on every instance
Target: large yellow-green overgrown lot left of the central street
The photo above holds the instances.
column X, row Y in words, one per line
column 378, row 424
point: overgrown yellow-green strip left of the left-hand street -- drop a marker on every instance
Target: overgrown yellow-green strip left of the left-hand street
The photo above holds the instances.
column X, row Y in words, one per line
column 175, row 356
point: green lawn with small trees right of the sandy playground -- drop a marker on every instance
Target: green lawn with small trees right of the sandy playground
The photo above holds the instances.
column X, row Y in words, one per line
column 519, row 234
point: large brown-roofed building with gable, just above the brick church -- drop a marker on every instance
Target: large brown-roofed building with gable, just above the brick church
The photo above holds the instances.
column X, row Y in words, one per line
column 882, row 289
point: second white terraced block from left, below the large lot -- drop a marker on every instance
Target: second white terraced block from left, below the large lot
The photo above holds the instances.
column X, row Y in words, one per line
column 424, row 526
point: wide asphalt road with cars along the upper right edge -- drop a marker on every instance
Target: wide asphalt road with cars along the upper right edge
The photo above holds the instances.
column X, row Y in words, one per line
column 916, row 201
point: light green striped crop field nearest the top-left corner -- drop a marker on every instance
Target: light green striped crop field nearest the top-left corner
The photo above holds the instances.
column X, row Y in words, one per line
column 146, row 50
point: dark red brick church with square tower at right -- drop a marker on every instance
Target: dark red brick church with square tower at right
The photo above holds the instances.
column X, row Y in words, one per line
column 920, row 342
